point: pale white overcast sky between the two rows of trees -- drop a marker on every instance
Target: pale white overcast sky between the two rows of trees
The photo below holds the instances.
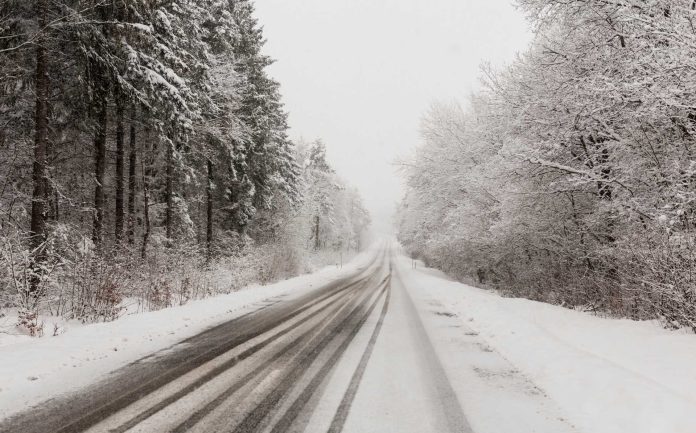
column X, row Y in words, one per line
column 359, row 74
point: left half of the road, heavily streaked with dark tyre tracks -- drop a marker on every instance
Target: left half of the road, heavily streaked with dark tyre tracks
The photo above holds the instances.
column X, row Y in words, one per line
column 234, row 377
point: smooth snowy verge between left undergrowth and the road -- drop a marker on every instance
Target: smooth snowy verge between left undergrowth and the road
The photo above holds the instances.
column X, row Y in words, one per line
column 35, row 369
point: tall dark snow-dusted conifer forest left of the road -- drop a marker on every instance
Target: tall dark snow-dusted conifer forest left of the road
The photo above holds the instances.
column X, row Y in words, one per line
column 134, row 129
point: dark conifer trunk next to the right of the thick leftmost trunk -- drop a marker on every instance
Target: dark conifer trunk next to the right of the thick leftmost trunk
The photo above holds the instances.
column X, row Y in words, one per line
column 101, row 117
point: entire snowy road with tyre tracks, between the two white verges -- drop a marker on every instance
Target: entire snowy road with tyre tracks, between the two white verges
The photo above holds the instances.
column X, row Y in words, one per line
column 351, row 356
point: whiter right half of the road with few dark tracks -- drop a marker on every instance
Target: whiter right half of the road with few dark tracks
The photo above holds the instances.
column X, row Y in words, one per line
column 401, row 385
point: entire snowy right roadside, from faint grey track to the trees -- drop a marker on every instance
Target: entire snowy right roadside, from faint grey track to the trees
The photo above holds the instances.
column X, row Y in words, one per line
column 601, row 374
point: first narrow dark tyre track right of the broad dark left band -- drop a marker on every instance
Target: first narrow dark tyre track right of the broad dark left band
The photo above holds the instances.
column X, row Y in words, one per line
column 222, row 368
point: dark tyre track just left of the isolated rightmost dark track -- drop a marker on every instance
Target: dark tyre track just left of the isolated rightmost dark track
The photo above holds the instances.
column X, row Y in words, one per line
column 298, row 405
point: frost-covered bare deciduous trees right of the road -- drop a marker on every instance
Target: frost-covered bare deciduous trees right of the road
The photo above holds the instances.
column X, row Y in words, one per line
column 570, row 177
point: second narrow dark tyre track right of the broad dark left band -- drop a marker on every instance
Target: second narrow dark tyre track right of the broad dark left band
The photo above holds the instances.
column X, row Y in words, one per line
column 220, row 399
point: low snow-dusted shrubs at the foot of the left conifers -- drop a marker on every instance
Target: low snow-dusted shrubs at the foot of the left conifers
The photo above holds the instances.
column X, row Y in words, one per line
column 96, row 290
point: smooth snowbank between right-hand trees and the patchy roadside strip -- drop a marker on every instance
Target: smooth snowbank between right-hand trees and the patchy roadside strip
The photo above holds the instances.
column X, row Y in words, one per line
column 608, row 375
